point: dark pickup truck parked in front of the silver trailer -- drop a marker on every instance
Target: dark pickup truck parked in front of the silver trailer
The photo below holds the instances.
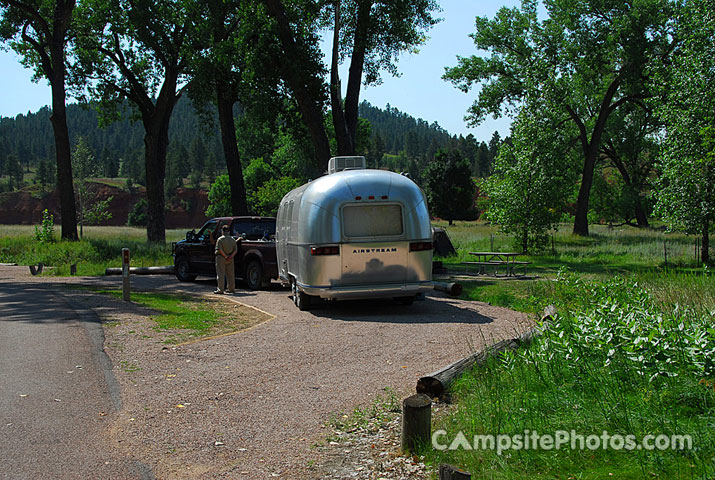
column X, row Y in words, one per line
column 255, row 264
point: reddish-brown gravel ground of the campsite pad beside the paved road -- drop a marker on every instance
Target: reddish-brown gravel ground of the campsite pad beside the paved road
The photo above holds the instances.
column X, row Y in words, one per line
column 257, row 404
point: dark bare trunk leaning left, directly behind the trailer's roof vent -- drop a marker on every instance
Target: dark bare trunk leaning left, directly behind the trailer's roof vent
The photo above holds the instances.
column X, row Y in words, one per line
column 309, row 106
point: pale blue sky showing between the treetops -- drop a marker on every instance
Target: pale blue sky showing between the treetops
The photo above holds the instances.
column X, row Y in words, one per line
column 419, row 91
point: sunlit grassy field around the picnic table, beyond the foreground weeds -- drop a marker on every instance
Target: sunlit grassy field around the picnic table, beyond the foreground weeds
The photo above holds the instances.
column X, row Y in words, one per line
column 637, row 254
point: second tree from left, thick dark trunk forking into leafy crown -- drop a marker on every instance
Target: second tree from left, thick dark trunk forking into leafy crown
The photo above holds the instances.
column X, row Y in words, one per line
column 140, row 50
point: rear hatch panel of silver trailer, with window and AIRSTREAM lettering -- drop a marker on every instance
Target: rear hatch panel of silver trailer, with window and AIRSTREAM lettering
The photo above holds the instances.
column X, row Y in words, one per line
column 375, row 251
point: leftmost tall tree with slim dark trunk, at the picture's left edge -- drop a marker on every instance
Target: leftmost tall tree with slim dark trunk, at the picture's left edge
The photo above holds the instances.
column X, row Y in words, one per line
column 39, row 31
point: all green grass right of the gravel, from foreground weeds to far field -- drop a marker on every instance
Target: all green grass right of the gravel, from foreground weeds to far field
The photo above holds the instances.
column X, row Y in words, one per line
column 632, row 352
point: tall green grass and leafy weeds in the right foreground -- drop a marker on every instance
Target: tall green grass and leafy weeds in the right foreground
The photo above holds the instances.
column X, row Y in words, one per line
column 618, row 360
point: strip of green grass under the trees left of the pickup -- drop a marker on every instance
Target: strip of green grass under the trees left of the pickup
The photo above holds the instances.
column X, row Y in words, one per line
column 99, row 249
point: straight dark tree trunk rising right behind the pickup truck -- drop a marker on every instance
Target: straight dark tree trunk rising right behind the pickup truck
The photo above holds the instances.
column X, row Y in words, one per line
column 225, row 102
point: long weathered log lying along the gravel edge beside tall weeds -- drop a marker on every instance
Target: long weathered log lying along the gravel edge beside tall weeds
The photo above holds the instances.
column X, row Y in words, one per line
column 436, row 383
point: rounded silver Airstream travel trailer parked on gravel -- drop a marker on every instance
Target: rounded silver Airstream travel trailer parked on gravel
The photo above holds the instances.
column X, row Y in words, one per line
column 354, row 234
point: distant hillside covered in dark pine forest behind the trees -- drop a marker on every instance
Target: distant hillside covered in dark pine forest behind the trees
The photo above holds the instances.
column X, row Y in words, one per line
column 118, row 147
